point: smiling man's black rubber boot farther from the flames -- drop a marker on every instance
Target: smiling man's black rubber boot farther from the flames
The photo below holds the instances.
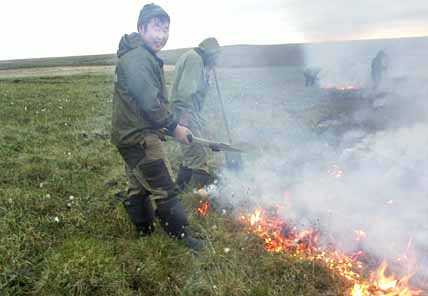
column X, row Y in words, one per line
column 140, row 211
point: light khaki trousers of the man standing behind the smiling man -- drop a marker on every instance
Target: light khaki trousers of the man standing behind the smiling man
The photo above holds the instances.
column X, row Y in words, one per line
column 195, row 156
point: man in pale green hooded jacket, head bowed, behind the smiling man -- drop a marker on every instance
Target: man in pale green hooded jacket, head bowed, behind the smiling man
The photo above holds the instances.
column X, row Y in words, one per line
column 188, row 95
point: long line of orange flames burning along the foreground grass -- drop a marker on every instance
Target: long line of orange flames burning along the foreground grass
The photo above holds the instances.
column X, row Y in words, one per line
column 279, row 236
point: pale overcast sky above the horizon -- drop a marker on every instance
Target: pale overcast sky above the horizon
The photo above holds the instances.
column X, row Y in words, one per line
column 47, row 28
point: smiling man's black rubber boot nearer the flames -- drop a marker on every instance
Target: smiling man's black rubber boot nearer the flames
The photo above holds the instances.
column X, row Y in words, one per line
column 174, row 220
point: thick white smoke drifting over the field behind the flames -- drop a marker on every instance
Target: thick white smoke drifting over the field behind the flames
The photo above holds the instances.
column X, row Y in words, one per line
column 368, row 174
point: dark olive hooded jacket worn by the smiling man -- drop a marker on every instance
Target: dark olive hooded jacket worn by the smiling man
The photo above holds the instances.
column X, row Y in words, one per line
column 140, row 101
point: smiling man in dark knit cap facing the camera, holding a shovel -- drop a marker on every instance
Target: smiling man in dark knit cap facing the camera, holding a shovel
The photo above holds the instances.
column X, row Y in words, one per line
column 140, row 111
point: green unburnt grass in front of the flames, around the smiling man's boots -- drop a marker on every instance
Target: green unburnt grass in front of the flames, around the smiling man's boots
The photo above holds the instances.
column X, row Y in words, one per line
column 62, row 234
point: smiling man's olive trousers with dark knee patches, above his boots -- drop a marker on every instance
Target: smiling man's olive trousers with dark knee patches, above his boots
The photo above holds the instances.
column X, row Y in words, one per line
column 148, row 169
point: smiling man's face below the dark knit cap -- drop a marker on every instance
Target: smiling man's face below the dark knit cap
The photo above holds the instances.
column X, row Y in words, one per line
column 155, row 34
